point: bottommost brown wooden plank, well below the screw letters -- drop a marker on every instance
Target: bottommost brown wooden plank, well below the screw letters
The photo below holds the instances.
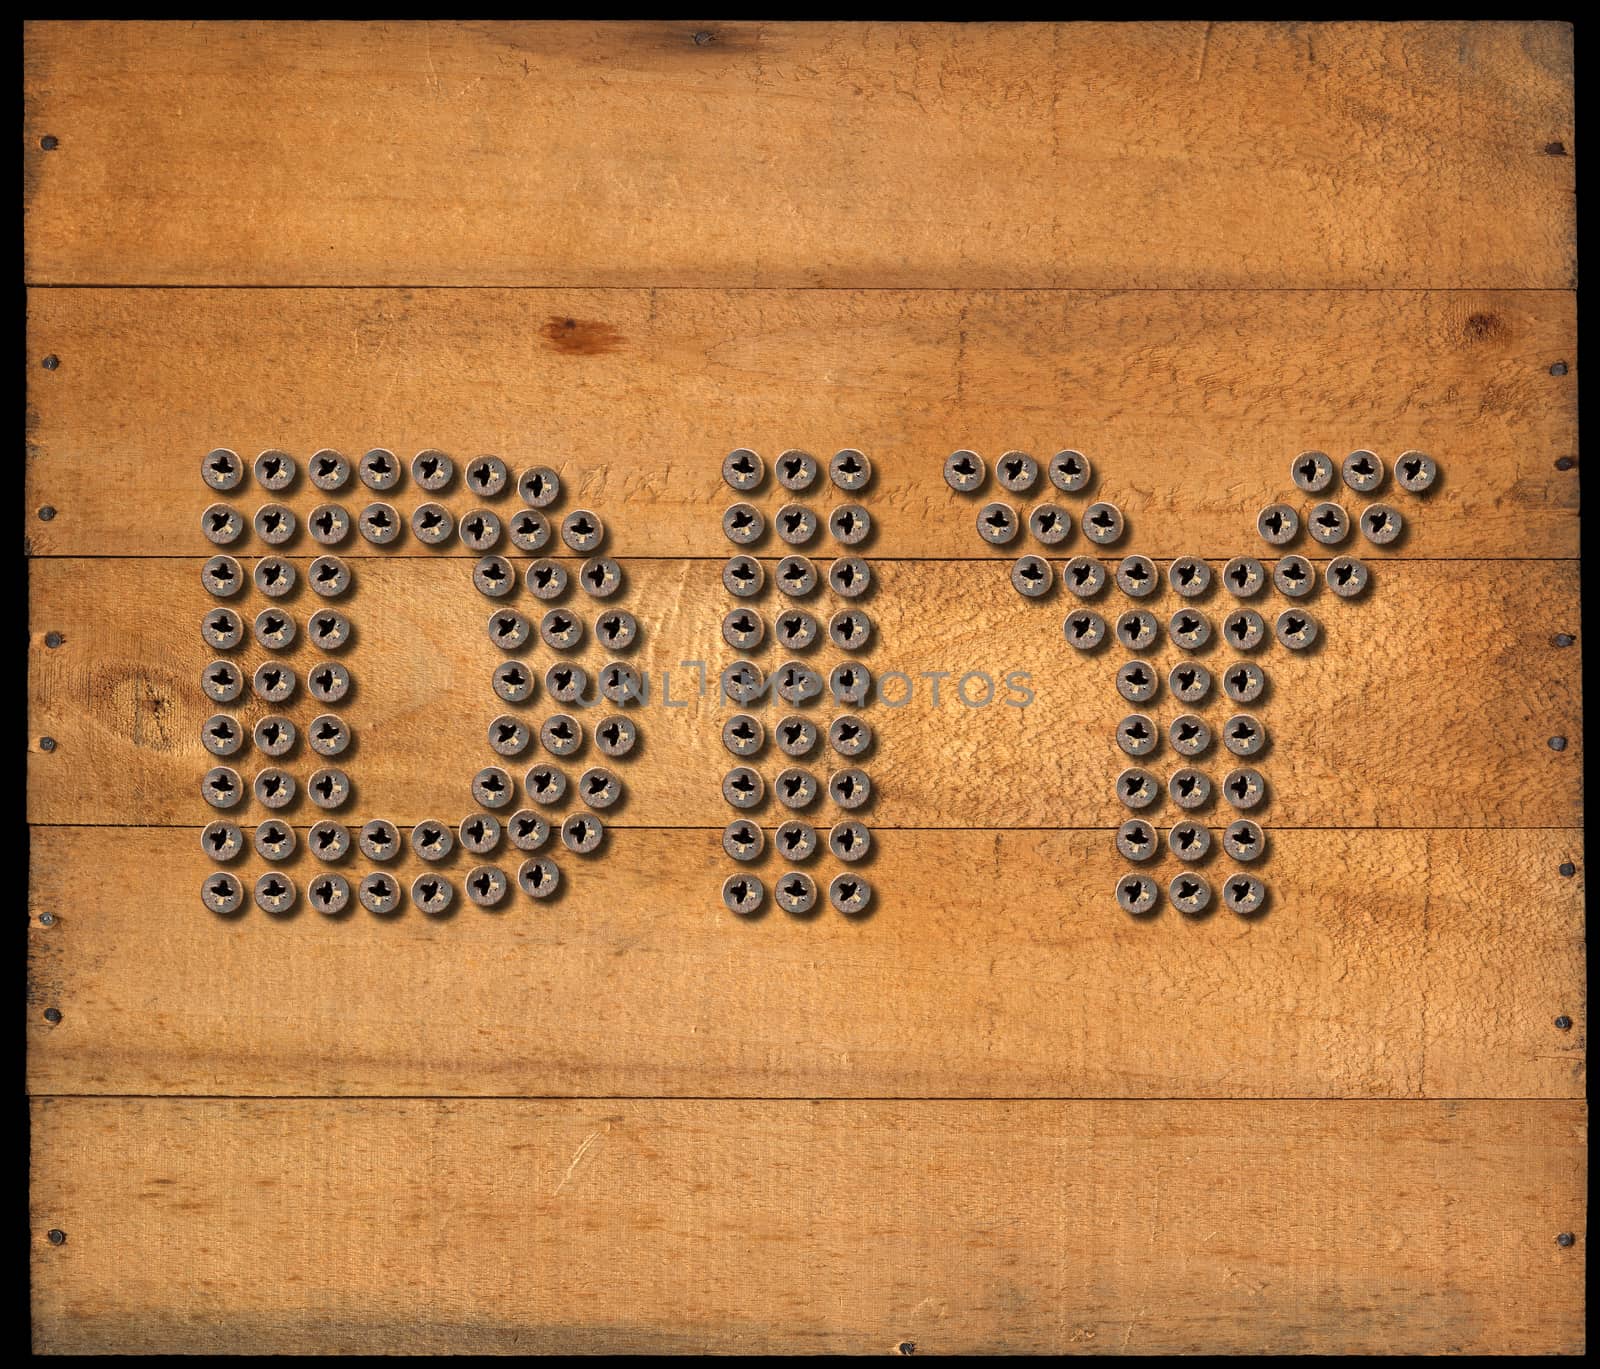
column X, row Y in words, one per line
column 858, row 1227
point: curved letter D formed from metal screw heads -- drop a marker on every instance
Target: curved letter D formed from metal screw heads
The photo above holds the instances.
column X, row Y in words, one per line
column 276, row 682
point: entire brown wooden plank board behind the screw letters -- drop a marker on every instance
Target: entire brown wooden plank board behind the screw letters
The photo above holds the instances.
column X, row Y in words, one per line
column 996, row 1116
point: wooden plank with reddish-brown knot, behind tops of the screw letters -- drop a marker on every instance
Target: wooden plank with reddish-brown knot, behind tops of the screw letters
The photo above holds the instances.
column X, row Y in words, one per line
column 1191, row 405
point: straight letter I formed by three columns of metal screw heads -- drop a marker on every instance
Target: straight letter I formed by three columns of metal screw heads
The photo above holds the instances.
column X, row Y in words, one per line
column 796, row 633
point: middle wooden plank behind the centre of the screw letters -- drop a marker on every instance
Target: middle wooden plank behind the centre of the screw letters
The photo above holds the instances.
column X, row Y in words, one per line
column 1430, row 703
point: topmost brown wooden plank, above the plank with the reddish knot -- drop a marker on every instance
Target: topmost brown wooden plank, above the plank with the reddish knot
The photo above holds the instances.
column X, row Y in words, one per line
column 801, row 154
